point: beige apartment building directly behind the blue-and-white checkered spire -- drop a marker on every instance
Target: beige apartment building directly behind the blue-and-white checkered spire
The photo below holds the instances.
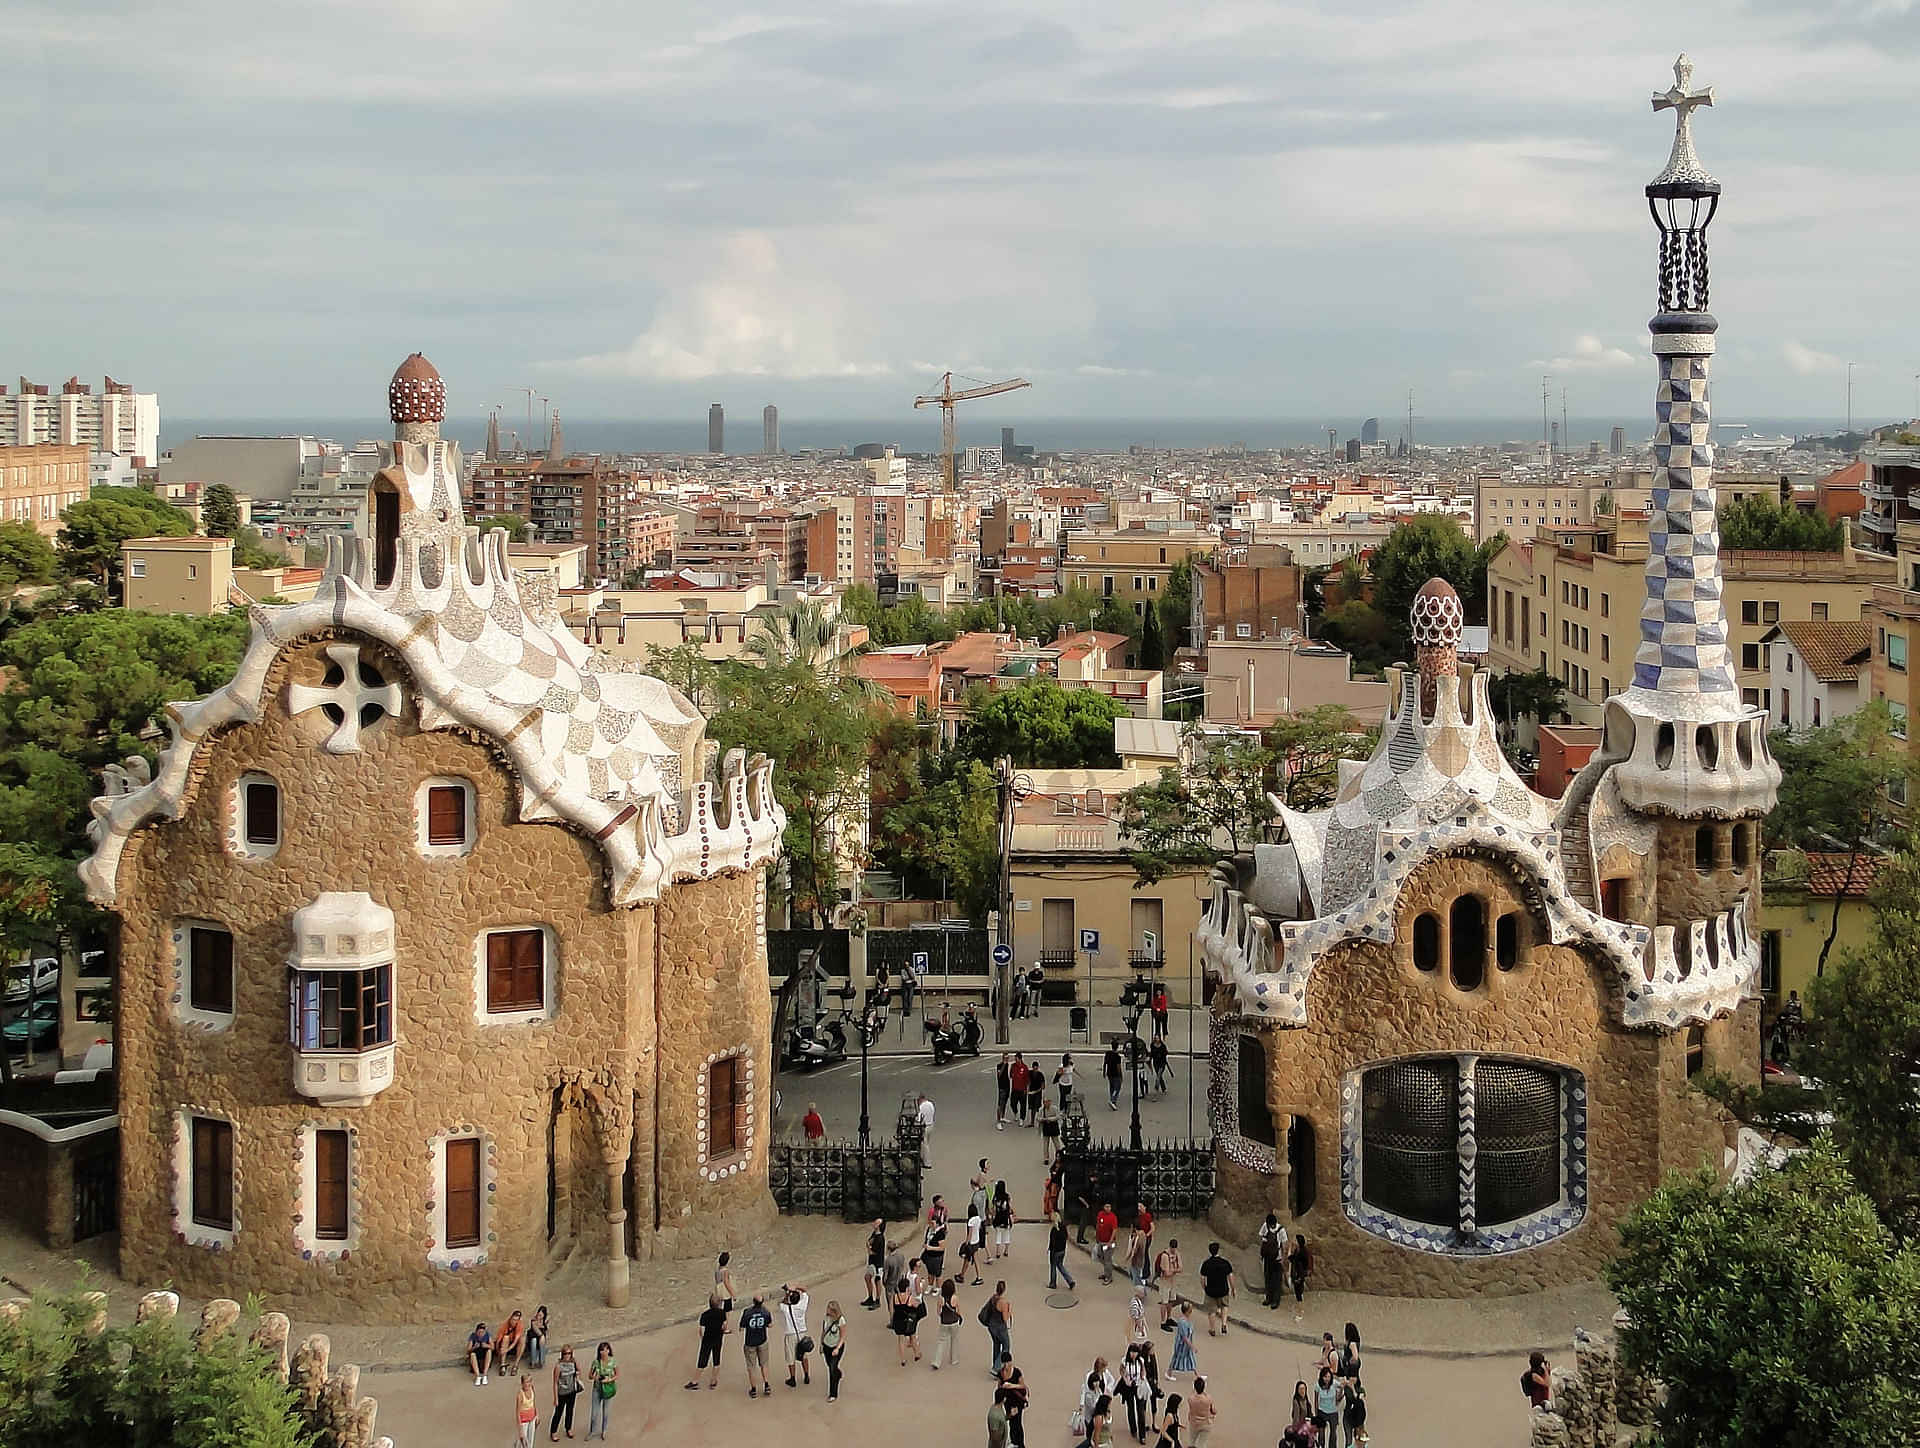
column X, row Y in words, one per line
column 1570, row 604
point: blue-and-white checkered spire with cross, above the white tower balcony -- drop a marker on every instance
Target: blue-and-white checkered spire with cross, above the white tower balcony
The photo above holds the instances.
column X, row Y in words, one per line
column 1683, row 625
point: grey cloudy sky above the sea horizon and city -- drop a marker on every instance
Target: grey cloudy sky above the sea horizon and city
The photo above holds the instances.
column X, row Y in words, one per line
column 1147, row 208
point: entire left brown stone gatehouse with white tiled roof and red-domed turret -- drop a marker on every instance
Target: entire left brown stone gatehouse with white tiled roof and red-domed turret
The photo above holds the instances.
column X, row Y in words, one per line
column 443, row 942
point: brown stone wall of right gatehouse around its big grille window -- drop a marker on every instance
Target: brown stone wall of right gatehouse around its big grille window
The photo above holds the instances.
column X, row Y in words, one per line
column 1368, row 1003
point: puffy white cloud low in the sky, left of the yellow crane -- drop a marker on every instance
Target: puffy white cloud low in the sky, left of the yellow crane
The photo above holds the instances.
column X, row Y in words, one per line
column 746, row 314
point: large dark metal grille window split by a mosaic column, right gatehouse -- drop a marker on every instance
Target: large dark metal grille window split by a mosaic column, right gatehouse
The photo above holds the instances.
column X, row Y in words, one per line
column 1466, row 1146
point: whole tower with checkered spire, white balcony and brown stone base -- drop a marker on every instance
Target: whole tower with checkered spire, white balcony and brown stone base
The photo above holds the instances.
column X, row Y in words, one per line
column 1689, row 752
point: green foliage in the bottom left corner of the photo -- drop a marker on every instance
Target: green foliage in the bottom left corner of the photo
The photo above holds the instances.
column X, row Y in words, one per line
column 68, row 1380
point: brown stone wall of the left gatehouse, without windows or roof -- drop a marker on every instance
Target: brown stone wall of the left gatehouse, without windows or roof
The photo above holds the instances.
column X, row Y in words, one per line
column 348, row 825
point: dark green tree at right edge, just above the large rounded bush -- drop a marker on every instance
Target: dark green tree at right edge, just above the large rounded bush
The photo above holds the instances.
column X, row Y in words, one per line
column 1863, row 1046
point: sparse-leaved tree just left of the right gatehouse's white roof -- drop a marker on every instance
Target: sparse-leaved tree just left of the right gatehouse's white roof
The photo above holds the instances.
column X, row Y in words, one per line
column 1209, row 809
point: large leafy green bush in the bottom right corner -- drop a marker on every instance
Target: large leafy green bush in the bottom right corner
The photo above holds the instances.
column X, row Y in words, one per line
column 1781, row 1313
